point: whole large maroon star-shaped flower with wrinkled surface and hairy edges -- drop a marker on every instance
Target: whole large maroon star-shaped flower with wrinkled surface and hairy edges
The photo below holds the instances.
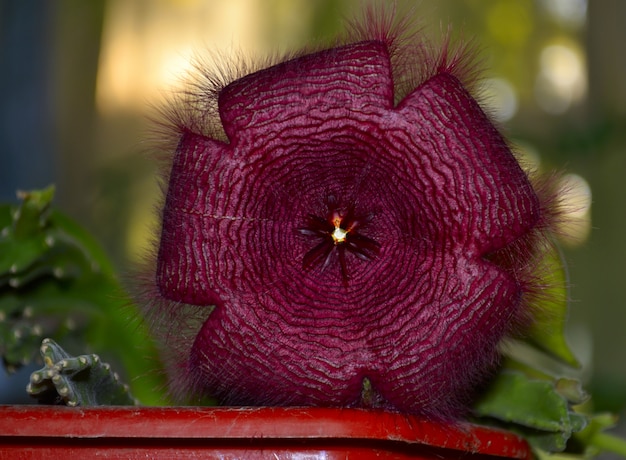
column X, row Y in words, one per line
column 343, row 249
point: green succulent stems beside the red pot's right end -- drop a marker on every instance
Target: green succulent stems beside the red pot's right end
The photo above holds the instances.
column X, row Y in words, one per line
column 551, row 413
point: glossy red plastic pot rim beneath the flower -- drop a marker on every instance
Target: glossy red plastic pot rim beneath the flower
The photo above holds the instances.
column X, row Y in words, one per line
column 277, row 433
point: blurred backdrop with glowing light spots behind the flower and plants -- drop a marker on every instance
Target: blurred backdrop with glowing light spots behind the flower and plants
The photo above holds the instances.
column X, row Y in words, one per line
column 78, row 77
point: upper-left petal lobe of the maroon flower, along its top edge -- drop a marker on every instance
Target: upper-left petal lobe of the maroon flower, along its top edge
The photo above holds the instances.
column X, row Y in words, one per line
column 354, row 77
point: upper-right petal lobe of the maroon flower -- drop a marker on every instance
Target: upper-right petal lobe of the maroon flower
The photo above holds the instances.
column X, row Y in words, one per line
column 480, row 195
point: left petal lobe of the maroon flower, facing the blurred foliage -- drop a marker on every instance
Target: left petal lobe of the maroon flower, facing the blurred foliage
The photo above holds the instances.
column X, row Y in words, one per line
column 183, row 274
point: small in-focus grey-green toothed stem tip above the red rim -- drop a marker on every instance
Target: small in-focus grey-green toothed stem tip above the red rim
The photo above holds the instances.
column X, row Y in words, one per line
column 76, row 381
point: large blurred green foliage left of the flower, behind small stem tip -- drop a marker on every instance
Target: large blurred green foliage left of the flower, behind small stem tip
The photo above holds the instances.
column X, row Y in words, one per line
column 55, row 281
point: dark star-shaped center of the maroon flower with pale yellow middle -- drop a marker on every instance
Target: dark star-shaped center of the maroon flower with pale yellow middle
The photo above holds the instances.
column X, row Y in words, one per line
column 337, row 233
